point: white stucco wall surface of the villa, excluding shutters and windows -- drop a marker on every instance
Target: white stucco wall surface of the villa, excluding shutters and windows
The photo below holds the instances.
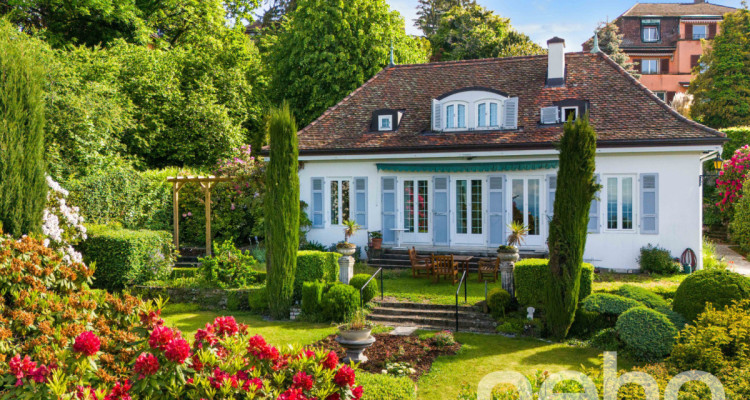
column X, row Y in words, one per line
column 679, row 198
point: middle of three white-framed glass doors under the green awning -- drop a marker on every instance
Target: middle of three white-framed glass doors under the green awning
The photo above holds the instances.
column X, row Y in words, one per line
column 468, row 217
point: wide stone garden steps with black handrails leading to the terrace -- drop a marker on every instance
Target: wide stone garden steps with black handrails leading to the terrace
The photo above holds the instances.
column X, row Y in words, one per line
column 432, row 317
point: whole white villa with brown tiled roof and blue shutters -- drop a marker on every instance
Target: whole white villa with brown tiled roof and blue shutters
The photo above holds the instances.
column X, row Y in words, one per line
column 445, row 155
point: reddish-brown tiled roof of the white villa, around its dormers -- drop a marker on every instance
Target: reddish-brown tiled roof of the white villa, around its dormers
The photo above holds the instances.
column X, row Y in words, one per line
column 623, row 112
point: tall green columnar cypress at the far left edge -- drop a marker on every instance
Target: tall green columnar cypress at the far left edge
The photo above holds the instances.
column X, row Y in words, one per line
column 23, row 189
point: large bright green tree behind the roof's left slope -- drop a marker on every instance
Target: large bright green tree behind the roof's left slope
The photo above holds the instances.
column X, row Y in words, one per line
column 326, row 49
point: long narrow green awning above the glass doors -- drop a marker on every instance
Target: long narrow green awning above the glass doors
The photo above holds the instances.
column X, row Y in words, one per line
column 469, row 167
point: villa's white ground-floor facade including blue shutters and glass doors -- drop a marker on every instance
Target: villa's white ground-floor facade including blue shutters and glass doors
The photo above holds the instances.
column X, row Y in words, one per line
column 616, row 232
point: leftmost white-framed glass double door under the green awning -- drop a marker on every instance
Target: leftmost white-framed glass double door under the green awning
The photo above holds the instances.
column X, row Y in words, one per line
column 416, row 206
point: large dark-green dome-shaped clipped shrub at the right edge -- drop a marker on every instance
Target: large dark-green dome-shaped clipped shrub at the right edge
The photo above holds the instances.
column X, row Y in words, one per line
column 718, row 287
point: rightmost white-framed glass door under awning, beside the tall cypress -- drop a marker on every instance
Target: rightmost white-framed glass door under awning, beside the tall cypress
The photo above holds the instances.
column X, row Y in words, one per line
column 526, row 202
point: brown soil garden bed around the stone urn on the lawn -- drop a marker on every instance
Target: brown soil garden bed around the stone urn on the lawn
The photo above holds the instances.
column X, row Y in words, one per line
column 420, row 353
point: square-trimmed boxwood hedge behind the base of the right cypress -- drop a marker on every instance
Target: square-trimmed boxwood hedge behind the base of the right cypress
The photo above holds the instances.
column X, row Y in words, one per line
column 530, row 275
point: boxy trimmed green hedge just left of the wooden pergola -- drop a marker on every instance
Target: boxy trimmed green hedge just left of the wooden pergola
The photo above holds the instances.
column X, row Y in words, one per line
column 126, row 257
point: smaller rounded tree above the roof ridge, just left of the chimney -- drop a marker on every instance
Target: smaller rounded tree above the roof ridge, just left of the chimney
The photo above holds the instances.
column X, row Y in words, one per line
column 472, row 31
